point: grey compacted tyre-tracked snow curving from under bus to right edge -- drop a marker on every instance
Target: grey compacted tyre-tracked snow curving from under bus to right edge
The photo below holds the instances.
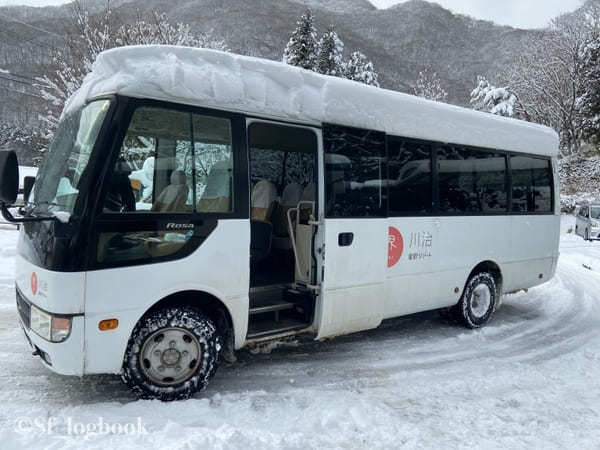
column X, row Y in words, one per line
column 548, row 322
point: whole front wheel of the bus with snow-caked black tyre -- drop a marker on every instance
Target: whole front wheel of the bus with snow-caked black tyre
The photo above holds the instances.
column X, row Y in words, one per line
column 172, row 353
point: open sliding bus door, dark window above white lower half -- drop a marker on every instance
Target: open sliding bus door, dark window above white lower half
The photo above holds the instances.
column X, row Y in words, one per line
column 353, row 233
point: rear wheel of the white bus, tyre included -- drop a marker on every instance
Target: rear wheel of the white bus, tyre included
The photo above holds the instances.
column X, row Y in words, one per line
column 478, row 300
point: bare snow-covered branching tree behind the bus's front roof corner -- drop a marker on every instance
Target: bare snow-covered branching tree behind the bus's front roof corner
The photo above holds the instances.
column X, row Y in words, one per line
column 94, row 34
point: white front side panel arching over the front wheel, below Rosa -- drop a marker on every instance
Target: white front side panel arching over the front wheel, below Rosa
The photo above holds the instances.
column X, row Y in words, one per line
column 219, row 267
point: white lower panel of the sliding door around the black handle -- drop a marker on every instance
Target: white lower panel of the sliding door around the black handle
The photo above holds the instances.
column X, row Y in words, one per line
column 352, row 297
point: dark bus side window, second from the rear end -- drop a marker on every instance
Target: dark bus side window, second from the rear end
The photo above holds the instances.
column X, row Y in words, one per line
column 471, row 181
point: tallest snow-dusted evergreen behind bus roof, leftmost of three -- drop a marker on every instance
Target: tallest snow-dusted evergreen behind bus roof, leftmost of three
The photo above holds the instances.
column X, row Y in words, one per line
column 302, row 48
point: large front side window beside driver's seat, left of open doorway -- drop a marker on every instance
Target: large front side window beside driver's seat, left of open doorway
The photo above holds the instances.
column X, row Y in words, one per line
column 173, row 162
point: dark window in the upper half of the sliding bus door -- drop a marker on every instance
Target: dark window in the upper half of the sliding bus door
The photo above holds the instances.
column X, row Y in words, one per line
column 355, row 171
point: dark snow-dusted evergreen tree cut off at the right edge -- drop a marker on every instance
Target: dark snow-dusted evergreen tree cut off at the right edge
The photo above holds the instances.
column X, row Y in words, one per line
column 589, row 100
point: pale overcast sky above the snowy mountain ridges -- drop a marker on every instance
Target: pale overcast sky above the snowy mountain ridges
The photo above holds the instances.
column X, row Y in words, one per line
column 517, row 13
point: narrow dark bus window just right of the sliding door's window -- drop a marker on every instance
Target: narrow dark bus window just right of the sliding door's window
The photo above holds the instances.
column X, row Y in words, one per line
column 410, row 178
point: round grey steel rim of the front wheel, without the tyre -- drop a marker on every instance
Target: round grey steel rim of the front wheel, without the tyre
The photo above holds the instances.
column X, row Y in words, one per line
column 170, row 356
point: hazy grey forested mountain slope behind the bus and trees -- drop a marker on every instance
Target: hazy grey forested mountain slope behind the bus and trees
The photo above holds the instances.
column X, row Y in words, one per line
column 401, row 40
